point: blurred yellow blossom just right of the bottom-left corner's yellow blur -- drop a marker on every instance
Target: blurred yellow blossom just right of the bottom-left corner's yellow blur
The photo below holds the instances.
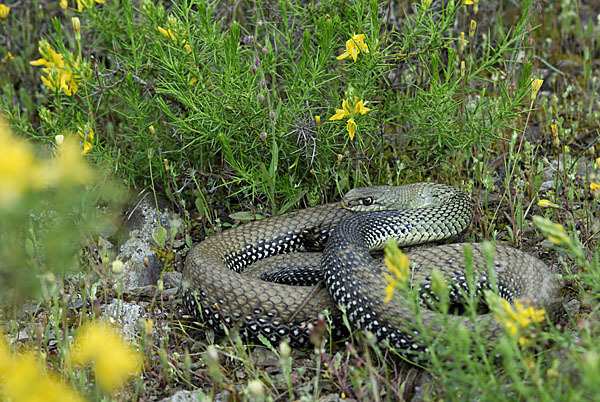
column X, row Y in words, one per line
column 114, row 360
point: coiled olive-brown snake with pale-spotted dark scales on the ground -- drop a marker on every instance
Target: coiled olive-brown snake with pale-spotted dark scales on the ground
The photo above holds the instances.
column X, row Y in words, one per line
column 218, row 292
